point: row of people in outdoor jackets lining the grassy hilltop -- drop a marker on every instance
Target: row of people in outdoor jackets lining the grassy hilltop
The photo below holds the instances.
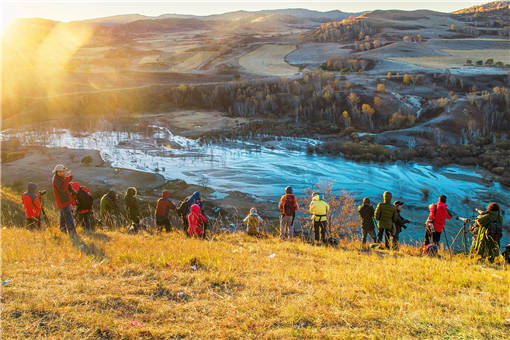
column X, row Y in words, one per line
column 75, row 203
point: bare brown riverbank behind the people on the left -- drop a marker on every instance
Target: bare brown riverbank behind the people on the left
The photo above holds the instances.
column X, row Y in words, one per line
column 36, row 165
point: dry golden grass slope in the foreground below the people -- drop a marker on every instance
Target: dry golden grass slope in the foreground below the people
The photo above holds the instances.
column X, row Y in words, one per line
column 96, row 286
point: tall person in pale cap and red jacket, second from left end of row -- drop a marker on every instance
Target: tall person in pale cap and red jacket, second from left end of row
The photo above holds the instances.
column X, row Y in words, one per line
column 64, row 197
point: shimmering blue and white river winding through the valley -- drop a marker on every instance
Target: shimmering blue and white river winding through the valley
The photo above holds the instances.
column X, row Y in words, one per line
column 263, row 171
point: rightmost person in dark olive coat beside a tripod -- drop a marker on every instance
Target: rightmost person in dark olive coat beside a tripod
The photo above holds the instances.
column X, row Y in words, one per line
column 488, row 231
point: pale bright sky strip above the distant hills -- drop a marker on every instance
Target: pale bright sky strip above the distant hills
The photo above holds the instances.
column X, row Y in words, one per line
column 85, row 9
